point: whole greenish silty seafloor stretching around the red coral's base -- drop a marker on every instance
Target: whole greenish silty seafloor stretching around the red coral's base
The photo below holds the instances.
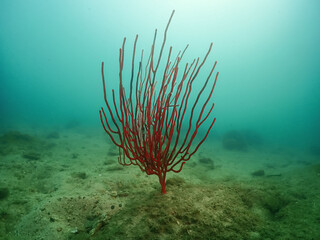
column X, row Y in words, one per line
column 67, row 184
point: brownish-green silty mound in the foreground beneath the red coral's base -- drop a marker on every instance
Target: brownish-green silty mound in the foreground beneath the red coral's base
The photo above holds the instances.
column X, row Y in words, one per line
column 221, row 211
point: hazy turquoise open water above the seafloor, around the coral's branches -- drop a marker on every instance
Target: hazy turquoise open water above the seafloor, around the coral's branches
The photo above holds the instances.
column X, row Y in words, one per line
column 267, row 55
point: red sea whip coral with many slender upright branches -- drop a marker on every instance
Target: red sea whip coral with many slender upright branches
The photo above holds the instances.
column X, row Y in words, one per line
column 146, row 122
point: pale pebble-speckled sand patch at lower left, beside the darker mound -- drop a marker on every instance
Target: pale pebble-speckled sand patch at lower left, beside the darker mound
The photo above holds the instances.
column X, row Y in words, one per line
column 68, row 217
